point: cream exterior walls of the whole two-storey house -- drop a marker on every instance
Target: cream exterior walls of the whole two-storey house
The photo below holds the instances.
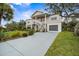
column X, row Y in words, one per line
column 46, row 23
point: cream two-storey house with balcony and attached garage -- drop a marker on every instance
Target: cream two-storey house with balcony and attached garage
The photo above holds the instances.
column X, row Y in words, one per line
column 44, row 22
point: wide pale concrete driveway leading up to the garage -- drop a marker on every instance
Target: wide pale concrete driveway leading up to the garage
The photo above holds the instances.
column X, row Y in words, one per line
column 35, row 45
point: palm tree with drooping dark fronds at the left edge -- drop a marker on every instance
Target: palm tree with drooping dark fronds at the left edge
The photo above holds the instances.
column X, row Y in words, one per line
column 6, row 12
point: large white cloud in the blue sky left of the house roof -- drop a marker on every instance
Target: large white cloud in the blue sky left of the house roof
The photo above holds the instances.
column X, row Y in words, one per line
column 23, row 16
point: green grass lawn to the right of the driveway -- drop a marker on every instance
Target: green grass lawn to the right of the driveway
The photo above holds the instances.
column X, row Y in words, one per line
column 65, row 44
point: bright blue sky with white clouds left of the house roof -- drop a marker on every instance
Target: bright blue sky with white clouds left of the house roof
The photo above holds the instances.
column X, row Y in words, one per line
column 23, row 11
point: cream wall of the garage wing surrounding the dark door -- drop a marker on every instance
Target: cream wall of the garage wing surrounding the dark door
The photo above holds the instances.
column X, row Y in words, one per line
column 54, row 22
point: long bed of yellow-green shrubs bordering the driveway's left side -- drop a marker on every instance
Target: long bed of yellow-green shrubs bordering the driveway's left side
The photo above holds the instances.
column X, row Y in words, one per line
column 4, row 36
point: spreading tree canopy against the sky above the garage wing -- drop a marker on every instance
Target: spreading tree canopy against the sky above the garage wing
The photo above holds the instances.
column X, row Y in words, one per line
column 63, row 9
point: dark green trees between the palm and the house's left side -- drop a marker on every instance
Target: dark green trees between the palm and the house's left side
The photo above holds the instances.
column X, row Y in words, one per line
column 16, row 25
